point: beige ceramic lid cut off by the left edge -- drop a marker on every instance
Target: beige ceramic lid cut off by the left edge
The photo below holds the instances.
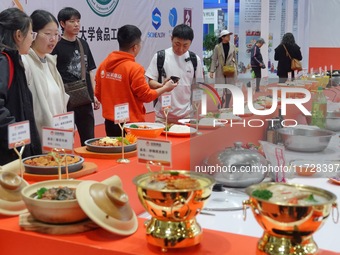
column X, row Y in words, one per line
column 11, row 202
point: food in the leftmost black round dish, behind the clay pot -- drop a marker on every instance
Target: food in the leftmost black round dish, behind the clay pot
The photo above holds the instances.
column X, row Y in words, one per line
column 48, row 160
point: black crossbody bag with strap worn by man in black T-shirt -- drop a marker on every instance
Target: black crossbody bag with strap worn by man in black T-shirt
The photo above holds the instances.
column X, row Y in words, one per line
column 77, row 90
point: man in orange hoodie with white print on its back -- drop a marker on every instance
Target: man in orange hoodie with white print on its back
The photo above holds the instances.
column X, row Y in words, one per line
column 120, row 79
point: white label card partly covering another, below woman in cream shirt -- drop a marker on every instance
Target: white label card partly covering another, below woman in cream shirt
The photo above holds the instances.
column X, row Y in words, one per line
column 57, row 138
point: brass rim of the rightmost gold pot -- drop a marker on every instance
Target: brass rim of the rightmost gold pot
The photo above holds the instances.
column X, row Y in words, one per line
column 331, row 197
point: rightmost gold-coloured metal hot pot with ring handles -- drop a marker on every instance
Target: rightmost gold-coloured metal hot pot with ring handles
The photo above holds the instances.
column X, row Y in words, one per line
column 288, row 228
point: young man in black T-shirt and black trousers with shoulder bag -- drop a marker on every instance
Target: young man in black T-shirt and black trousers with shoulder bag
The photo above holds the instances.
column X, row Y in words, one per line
column 69, row 66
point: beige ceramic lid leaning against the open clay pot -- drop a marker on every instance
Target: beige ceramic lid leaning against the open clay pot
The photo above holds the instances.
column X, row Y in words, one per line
column 108, row 206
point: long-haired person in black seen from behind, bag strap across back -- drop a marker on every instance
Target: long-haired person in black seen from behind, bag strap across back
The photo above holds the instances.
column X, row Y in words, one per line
column 284, row 62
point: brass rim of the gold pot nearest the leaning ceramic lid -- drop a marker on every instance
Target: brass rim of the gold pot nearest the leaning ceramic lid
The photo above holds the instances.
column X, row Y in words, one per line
column 211, row 181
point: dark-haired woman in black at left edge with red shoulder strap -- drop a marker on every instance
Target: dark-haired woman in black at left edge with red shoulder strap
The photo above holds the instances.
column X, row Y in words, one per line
column 16, row 103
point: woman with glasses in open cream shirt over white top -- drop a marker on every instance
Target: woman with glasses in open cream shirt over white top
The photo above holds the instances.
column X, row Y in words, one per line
column 42, row 75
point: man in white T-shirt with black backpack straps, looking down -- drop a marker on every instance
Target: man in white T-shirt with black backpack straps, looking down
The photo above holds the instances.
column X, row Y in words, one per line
column 178, row 63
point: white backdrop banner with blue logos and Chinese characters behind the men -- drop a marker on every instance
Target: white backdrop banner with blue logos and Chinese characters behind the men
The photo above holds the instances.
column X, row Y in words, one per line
column 100, row 21
